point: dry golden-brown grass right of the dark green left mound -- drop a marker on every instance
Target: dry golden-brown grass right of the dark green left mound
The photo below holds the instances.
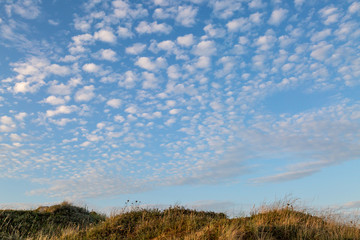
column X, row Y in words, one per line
column 277, row 221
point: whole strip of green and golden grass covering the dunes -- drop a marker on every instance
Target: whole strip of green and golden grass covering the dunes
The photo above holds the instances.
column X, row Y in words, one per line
column 67, row 222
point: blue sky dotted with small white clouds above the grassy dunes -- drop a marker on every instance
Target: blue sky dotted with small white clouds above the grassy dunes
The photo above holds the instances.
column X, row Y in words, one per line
column 215, row 104
